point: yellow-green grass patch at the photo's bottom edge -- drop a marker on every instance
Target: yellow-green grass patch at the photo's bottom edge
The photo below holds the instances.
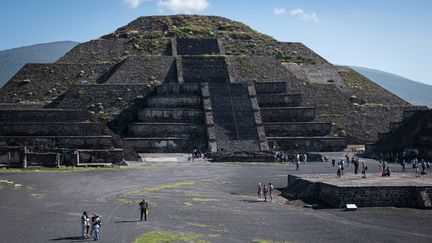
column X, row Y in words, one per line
column 168, row 236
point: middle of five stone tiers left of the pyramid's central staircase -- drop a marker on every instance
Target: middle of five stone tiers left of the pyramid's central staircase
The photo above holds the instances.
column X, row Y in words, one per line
column 170, row 115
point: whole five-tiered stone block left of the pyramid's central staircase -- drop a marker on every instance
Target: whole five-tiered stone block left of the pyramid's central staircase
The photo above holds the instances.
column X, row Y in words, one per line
column 170, row 121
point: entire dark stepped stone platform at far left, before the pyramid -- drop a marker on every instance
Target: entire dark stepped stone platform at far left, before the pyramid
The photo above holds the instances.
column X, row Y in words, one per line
column 54, row 137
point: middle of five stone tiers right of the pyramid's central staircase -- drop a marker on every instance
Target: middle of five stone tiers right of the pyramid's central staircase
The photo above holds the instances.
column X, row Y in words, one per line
column 288, row 114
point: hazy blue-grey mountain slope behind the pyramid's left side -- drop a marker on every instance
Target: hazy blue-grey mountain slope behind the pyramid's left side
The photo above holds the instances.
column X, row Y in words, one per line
column 14, row 59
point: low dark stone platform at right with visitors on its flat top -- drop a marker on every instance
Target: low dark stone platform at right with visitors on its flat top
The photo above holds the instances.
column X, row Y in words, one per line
column 399, row 190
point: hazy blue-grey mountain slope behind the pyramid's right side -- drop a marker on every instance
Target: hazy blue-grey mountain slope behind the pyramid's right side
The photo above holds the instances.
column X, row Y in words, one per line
column 414, row 92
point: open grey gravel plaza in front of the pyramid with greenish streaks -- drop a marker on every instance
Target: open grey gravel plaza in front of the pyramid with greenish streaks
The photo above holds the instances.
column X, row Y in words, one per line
column 216, row 202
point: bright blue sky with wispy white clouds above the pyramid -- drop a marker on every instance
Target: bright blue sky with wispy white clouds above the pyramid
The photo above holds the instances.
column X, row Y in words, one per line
column 390, row 35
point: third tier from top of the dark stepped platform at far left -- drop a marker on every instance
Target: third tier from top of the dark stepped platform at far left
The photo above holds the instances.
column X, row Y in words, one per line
column 75, row 142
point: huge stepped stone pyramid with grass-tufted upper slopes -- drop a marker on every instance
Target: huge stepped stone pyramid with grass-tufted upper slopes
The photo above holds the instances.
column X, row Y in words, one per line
column 184, row 82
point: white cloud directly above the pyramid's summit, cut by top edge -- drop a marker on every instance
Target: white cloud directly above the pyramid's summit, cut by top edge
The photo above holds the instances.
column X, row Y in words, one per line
column 184, row 6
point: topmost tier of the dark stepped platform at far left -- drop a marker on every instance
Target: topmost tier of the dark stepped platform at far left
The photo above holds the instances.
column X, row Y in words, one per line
column 43, row 115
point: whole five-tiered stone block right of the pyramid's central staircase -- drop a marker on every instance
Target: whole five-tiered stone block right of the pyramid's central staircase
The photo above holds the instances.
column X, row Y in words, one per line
column 290, row 126
